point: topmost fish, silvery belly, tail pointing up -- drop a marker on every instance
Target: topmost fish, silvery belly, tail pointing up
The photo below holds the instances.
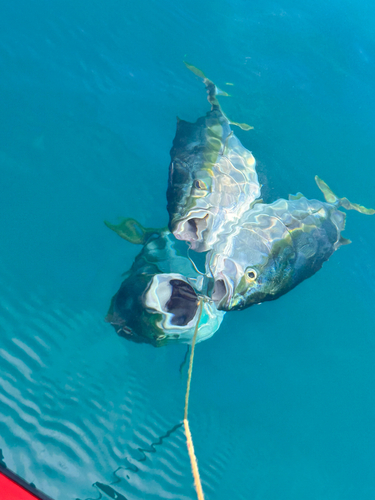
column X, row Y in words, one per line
column 212, row 177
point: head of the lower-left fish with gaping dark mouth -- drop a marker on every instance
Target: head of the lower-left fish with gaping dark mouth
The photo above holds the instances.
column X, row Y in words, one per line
column 160, row 309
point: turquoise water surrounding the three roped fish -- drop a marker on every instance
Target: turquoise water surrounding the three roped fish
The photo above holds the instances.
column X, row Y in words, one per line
column 282, row 400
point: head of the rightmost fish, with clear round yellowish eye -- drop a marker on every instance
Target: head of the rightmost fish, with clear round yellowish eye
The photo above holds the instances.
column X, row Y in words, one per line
column 251, row 270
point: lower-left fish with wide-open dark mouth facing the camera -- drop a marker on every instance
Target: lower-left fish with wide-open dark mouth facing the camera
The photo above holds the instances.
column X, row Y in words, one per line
column 161, row 299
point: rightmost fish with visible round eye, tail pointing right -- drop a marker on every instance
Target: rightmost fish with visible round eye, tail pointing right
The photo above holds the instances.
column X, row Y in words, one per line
column 277, row 246
